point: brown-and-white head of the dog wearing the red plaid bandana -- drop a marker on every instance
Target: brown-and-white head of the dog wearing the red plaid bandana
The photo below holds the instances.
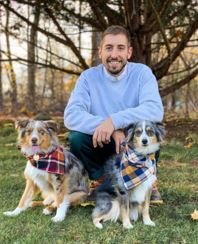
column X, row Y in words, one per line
column 36, row 136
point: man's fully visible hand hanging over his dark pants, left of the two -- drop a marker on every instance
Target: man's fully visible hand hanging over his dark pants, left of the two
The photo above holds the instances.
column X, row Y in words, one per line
column 103, row 133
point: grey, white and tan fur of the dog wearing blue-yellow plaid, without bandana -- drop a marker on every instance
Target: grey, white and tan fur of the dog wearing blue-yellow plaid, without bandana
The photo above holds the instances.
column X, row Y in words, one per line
column 145, row 138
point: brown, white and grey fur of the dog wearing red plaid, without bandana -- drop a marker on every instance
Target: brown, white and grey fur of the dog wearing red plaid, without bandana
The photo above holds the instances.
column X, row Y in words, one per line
column 58, row 191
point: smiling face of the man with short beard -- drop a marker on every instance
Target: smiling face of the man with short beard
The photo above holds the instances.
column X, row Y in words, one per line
column 114, row 53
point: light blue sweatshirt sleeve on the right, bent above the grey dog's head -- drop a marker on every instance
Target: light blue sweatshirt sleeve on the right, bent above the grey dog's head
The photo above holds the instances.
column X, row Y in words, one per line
column 150, row 104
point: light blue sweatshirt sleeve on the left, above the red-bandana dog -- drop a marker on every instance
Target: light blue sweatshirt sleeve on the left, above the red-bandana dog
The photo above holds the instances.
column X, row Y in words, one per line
column 77, row 114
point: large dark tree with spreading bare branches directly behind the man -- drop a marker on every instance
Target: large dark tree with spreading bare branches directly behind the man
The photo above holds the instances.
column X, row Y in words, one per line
column 160, row 31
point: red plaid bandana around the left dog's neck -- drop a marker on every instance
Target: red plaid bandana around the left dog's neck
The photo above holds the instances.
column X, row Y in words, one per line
column 53, row 162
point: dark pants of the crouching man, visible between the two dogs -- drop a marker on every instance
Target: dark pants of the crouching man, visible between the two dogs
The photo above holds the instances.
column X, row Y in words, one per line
column 92, row 158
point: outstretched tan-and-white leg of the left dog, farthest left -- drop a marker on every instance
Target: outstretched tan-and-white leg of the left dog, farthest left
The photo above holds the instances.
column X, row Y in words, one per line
column 25, row 200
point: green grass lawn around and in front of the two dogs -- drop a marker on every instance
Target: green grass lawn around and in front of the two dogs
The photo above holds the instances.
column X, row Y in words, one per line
column 178, row 183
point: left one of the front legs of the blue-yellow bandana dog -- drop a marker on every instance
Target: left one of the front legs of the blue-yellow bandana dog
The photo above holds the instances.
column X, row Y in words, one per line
column 124, row 200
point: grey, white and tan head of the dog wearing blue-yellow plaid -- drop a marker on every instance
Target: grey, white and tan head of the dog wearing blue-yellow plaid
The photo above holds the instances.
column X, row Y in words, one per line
column 145, row 136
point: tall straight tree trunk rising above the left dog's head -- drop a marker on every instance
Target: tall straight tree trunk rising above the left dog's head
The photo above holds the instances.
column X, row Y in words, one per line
column 32, row 42
